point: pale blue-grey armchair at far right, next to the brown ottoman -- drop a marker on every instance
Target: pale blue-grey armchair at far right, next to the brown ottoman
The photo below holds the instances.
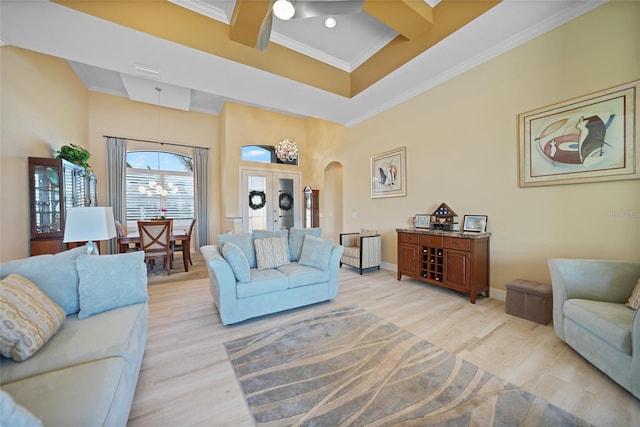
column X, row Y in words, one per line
column 589, row 314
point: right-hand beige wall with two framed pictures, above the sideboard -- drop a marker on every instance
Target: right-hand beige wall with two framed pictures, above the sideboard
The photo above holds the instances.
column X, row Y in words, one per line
column 462, row 149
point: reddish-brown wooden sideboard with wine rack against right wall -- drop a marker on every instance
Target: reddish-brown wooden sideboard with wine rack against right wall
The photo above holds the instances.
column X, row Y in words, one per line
column 454, row 260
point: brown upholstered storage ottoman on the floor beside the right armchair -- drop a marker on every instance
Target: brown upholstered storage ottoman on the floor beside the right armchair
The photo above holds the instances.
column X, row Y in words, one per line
column 529, row 300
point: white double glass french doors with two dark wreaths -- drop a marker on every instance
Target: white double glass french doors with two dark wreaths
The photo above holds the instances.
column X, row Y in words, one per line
column 270, row 200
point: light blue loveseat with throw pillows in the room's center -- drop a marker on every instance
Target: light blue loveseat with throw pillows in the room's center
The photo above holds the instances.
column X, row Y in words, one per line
column 309, row 274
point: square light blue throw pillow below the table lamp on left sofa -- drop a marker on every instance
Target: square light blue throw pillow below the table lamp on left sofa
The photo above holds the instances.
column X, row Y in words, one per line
column 111, row 281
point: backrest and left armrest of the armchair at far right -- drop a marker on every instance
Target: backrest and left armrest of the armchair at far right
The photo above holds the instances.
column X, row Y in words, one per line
column 598, row 280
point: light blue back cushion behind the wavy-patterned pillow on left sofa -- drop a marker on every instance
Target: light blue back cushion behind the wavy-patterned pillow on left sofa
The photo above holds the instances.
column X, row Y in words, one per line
column 55, row 274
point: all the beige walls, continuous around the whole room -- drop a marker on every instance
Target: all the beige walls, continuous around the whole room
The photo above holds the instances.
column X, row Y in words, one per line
column 461, row 140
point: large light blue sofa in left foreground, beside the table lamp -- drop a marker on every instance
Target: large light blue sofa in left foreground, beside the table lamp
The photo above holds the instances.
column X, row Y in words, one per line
column 86, row 373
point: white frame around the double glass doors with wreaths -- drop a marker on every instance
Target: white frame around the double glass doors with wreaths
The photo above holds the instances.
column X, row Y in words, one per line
column 272, row 176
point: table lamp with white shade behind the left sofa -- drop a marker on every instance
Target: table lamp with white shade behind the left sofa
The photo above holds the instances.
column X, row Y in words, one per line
column 89, row 225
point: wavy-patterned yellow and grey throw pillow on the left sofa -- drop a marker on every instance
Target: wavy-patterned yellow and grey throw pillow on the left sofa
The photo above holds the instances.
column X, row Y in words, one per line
column 28, row 318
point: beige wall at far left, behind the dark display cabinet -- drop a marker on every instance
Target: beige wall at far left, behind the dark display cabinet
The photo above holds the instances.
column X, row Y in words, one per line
column 44, row 106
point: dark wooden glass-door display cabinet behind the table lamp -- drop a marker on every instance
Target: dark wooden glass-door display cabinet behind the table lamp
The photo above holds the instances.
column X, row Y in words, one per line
column 54, row 186
